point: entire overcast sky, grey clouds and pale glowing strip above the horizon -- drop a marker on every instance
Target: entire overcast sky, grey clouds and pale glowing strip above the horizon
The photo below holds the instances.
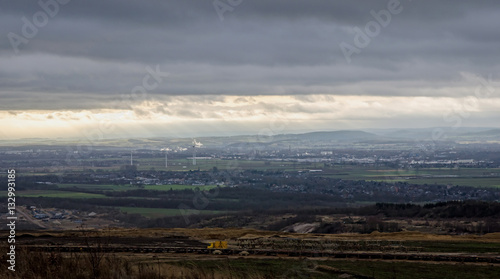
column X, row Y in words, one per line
column 200, row 67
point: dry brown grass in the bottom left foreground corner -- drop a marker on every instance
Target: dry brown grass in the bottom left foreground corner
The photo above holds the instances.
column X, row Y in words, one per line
column 40, row 265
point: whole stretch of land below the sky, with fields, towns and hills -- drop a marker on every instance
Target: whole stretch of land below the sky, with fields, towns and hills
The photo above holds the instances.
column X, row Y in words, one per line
column 314, row 205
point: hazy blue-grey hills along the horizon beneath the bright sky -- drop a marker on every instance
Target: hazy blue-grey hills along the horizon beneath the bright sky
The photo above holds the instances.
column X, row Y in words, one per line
column 311, row 139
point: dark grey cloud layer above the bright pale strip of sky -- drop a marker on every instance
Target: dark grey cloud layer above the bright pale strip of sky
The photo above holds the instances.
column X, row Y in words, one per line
column 93, row 51
